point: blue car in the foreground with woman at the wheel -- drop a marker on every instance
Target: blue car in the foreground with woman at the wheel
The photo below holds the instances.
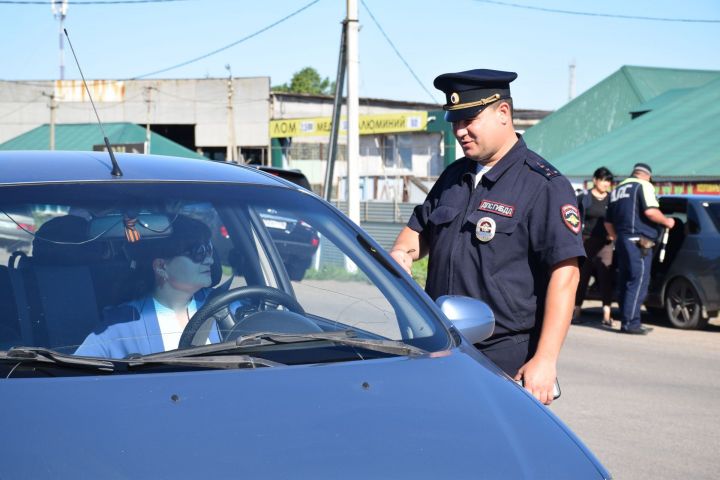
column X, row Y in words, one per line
column 130, row 347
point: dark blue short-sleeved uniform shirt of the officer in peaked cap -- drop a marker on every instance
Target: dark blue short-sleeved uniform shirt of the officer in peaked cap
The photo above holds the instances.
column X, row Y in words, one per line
column 536, row 225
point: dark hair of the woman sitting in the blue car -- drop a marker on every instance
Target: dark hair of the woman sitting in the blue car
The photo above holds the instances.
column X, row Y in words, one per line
column 186, row 233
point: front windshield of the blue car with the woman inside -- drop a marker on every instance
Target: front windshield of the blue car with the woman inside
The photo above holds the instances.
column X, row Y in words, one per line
column 126, row 270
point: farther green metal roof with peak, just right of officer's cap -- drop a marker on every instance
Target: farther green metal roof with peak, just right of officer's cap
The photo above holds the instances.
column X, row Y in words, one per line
column 606, row 107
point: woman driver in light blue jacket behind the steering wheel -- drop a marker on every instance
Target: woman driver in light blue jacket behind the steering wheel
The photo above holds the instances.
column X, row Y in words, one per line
column 173, row 275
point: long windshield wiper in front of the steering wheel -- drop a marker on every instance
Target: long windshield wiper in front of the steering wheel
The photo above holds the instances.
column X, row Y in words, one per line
column 345, row 337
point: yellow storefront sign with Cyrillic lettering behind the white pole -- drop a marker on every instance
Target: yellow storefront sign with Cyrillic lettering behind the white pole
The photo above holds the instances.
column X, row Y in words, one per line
column 369, row 124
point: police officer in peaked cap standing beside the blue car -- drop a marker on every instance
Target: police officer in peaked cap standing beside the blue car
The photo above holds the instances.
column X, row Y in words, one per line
column 500, row 224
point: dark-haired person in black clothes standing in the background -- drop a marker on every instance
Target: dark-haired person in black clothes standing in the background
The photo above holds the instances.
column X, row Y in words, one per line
column 598, row 246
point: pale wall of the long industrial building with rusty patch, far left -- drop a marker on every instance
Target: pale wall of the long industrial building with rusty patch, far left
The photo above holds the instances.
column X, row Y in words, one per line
column 203, row 103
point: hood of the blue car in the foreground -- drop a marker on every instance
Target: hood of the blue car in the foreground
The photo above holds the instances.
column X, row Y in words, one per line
column 436, row 416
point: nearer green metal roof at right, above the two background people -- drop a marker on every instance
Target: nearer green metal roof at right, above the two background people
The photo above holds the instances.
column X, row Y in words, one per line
column 679, row 139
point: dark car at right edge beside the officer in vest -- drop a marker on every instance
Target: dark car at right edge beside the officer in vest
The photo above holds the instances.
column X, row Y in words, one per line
column 685, row 287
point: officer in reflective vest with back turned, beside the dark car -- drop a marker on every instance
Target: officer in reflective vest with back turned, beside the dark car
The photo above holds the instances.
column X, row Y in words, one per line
column 633, row 218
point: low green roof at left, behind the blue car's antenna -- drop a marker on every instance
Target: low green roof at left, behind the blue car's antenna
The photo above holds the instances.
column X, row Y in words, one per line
column 83, row 136
